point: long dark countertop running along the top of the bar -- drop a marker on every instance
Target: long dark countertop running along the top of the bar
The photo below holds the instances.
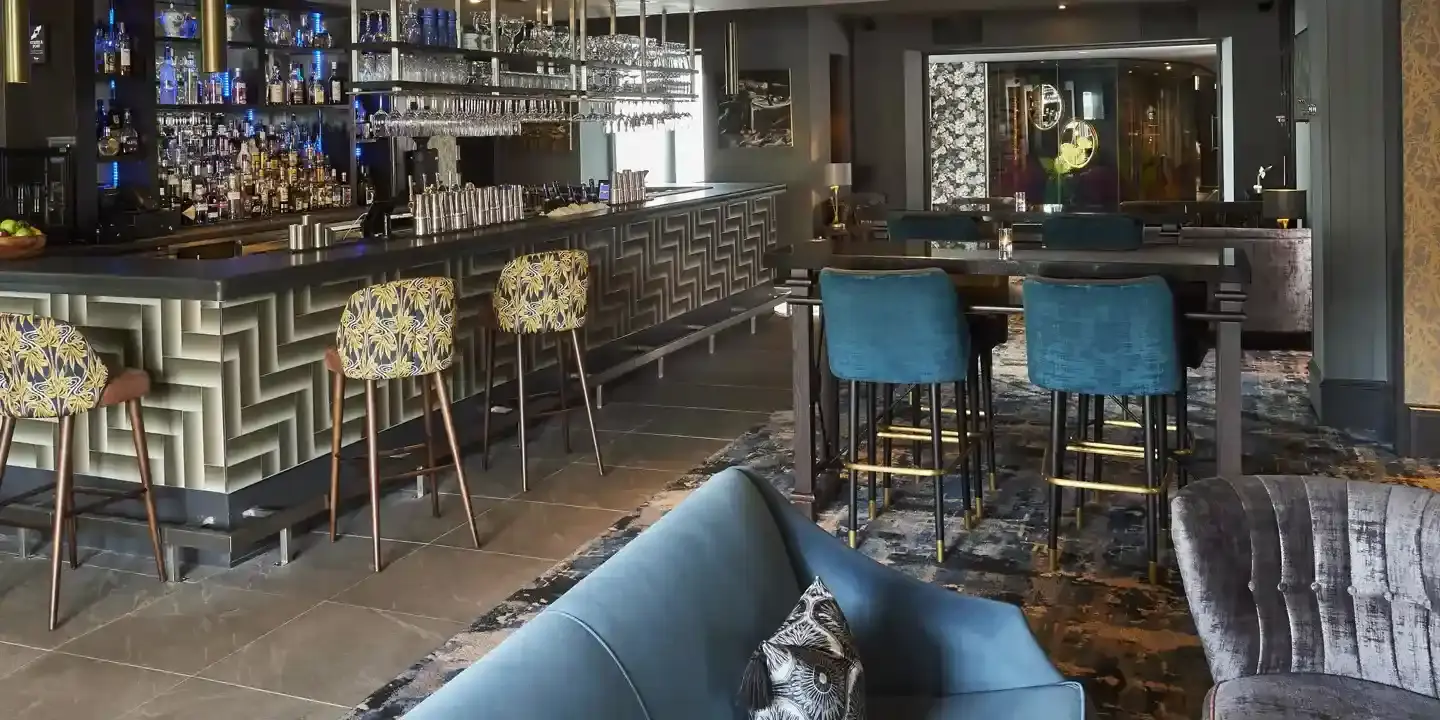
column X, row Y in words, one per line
column 127, row 276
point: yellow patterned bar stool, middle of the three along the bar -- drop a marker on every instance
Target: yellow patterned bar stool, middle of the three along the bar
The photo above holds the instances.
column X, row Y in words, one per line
column 392, row 332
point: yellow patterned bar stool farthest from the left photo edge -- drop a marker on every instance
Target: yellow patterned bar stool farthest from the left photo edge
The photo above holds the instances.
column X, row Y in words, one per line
column 545, row 293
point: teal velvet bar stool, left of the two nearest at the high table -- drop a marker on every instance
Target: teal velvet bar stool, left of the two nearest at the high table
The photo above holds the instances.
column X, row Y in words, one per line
column 898, row 329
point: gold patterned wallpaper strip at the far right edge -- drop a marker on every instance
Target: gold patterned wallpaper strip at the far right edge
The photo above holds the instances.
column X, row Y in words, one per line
column 1421, row 90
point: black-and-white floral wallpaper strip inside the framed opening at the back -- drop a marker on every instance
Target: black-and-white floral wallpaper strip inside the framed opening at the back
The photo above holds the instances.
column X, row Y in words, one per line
column 958, row 132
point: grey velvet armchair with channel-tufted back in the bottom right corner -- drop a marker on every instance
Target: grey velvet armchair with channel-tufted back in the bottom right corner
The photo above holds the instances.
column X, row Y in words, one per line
column 1315, row 598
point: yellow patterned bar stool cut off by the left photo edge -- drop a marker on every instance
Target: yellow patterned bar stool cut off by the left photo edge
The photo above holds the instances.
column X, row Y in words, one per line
column 48, row 371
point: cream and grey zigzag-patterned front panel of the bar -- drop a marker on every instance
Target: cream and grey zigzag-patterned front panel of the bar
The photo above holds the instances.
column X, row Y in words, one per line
column 241, row 392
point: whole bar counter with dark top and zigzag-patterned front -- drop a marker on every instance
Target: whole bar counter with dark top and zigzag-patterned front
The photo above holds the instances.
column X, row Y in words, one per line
column 235, row 346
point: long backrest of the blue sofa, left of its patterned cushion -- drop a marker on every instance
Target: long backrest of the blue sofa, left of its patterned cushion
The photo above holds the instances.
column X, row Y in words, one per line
column 659, row 633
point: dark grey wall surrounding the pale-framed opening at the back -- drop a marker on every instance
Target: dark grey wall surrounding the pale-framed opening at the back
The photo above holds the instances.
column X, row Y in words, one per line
column 881, row 61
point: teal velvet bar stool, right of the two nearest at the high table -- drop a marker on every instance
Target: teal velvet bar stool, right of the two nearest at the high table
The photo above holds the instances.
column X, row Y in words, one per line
column 1105, row 339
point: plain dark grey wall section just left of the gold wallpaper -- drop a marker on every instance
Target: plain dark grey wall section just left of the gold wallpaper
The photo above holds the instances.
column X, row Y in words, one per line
column 1349, row 212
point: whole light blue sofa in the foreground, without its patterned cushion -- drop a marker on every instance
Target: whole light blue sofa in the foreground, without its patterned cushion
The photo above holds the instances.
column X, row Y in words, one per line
column 665, row 629
